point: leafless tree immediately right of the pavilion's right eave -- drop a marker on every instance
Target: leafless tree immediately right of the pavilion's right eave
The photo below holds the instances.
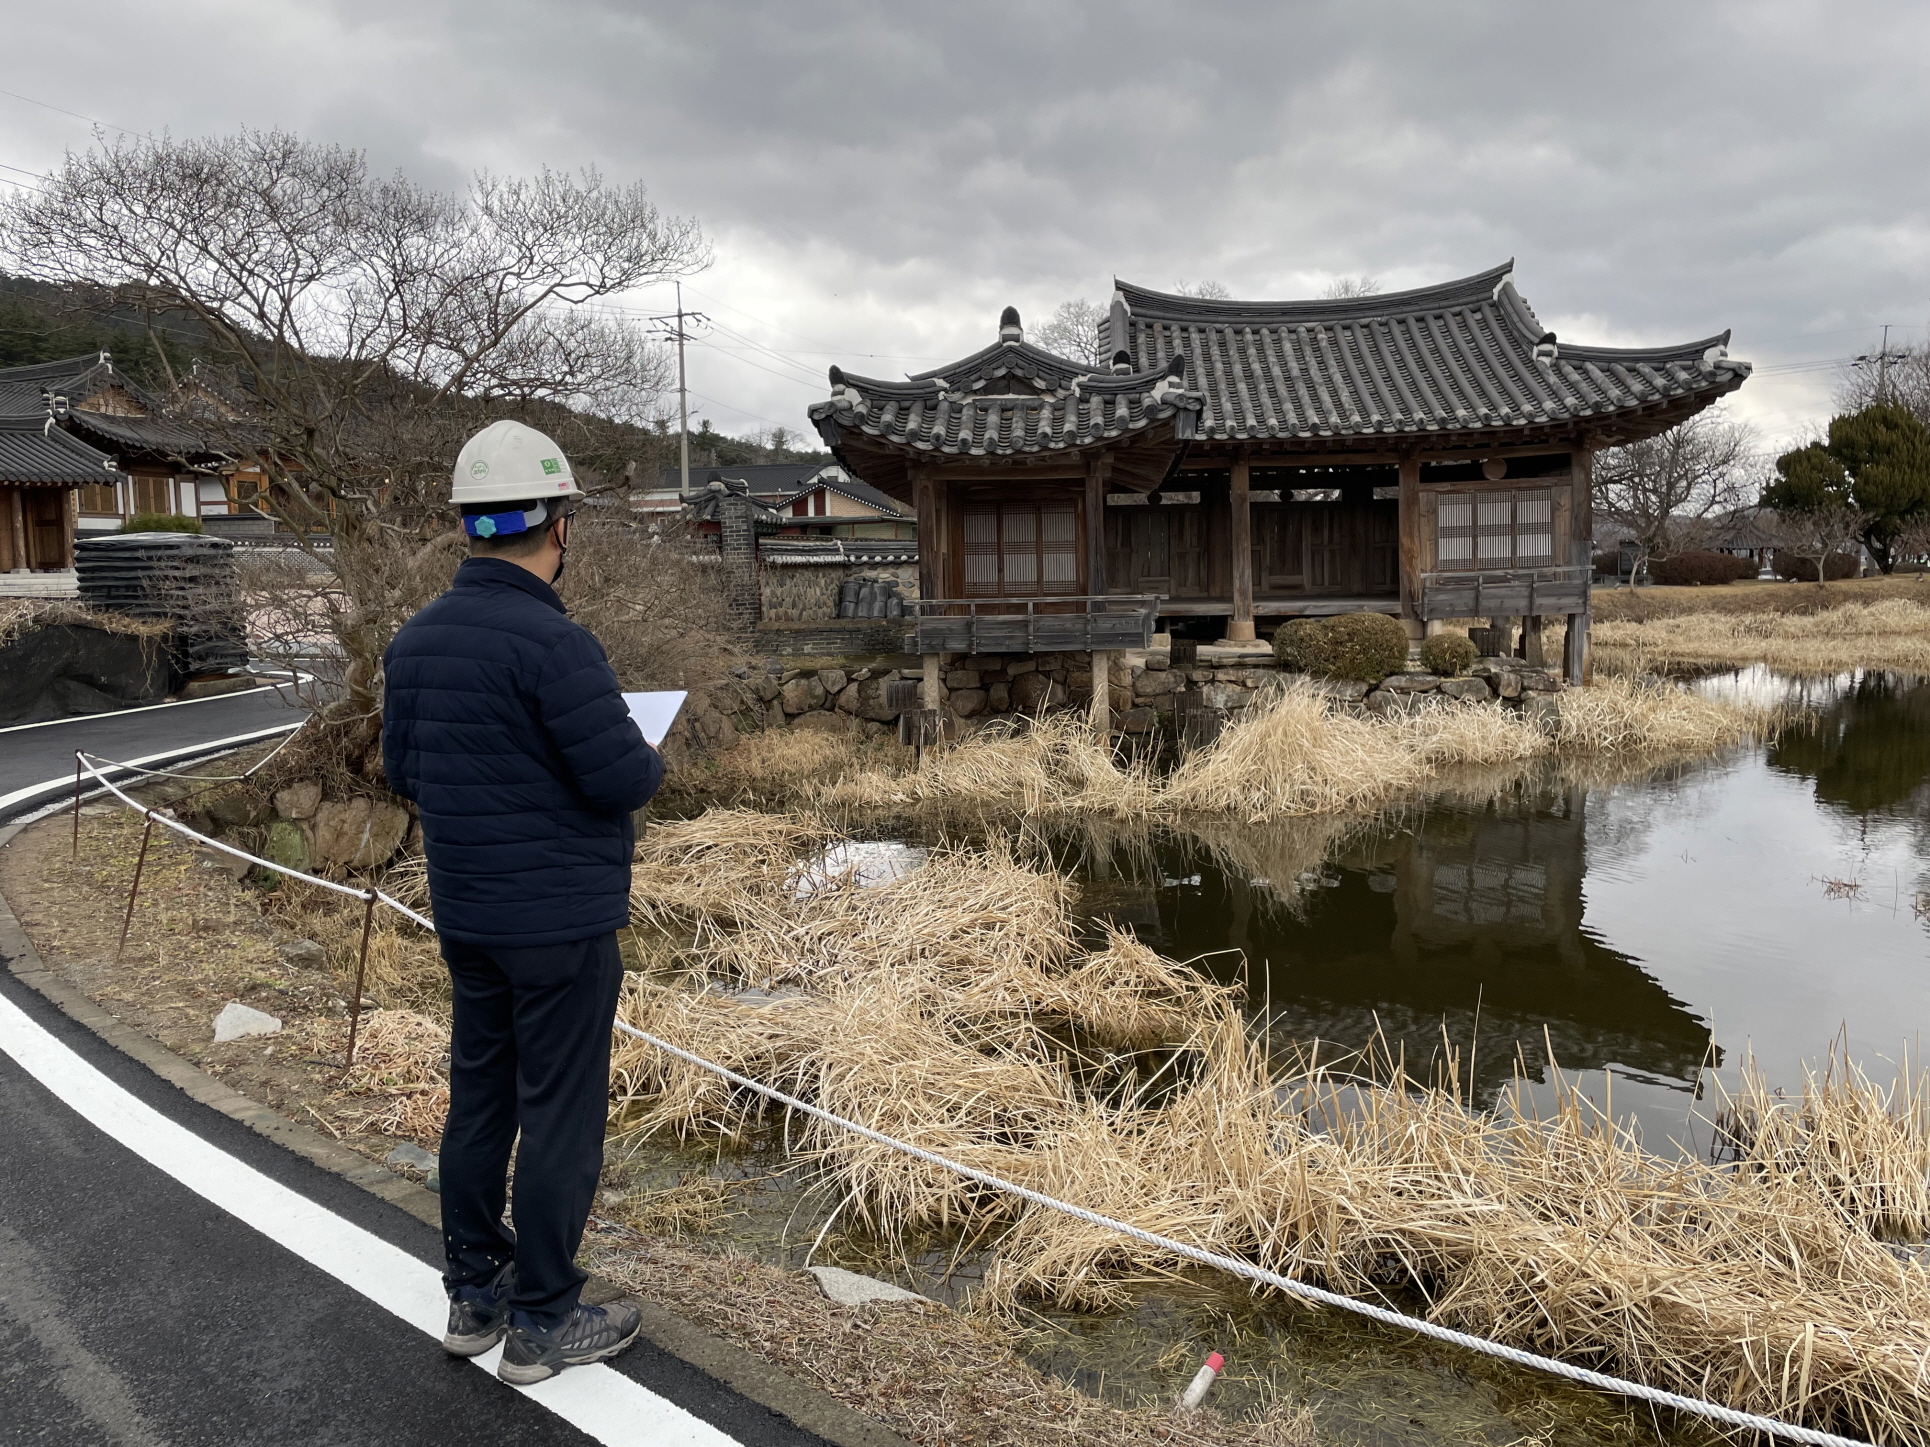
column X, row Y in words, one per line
column 1665, row 489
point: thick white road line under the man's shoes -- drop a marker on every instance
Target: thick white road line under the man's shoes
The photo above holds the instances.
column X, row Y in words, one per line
column 603, row 1404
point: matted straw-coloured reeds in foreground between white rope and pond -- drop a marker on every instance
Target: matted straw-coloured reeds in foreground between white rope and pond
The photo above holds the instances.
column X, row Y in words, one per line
column 962, row 1012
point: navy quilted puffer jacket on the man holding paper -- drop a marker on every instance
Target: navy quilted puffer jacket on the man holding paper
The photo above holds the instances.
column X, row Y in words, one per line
column 503, row 723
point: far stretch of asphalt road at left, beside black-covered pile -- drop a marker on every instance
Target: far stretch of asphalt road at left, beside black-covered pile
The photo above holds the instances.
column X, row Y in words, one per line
column 43, row 753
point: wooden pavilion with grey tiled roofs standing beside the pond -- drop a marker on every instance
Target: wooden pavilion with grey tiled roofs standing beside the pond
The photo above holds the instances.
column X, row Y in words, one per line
column 1421, row 454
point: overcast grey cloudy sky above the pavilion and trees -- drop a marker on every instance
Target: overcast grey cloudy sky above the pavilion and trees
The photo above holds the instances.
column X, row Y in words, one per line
column 879, row 180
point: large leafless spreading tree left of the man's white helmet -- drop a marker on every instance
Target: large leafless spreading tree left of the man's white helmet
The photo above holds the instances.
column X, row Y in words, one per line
column 362, row 327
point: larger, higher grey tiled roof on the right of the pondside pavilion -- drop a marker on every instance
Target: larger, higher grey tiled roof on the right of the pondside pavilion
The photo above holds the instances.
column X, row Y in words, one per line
column 1456, row 358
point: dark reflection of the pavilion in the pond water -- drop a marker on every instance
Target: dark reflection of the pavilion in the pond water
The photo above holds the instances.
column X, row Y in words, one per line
column 1454, row 925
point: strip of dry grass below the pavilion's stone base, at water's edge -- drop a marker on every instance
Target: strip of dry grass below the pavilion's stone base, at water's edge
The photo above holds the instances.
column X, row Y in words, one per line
column 1288, row 755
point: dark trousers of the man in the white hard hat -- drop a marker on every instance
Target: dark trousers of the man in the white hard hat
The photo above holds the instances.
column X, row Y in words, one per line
column 530, row 1049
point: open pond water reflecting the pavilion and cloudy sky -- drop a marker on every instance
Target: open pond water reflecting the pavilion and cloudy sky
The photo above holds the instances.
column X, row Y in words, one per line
column 1659, row 925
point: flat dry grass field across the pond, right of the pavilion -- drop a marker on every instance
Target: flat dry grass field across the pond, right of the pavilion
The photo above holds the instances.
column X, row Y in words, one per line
column 1890, row 634
